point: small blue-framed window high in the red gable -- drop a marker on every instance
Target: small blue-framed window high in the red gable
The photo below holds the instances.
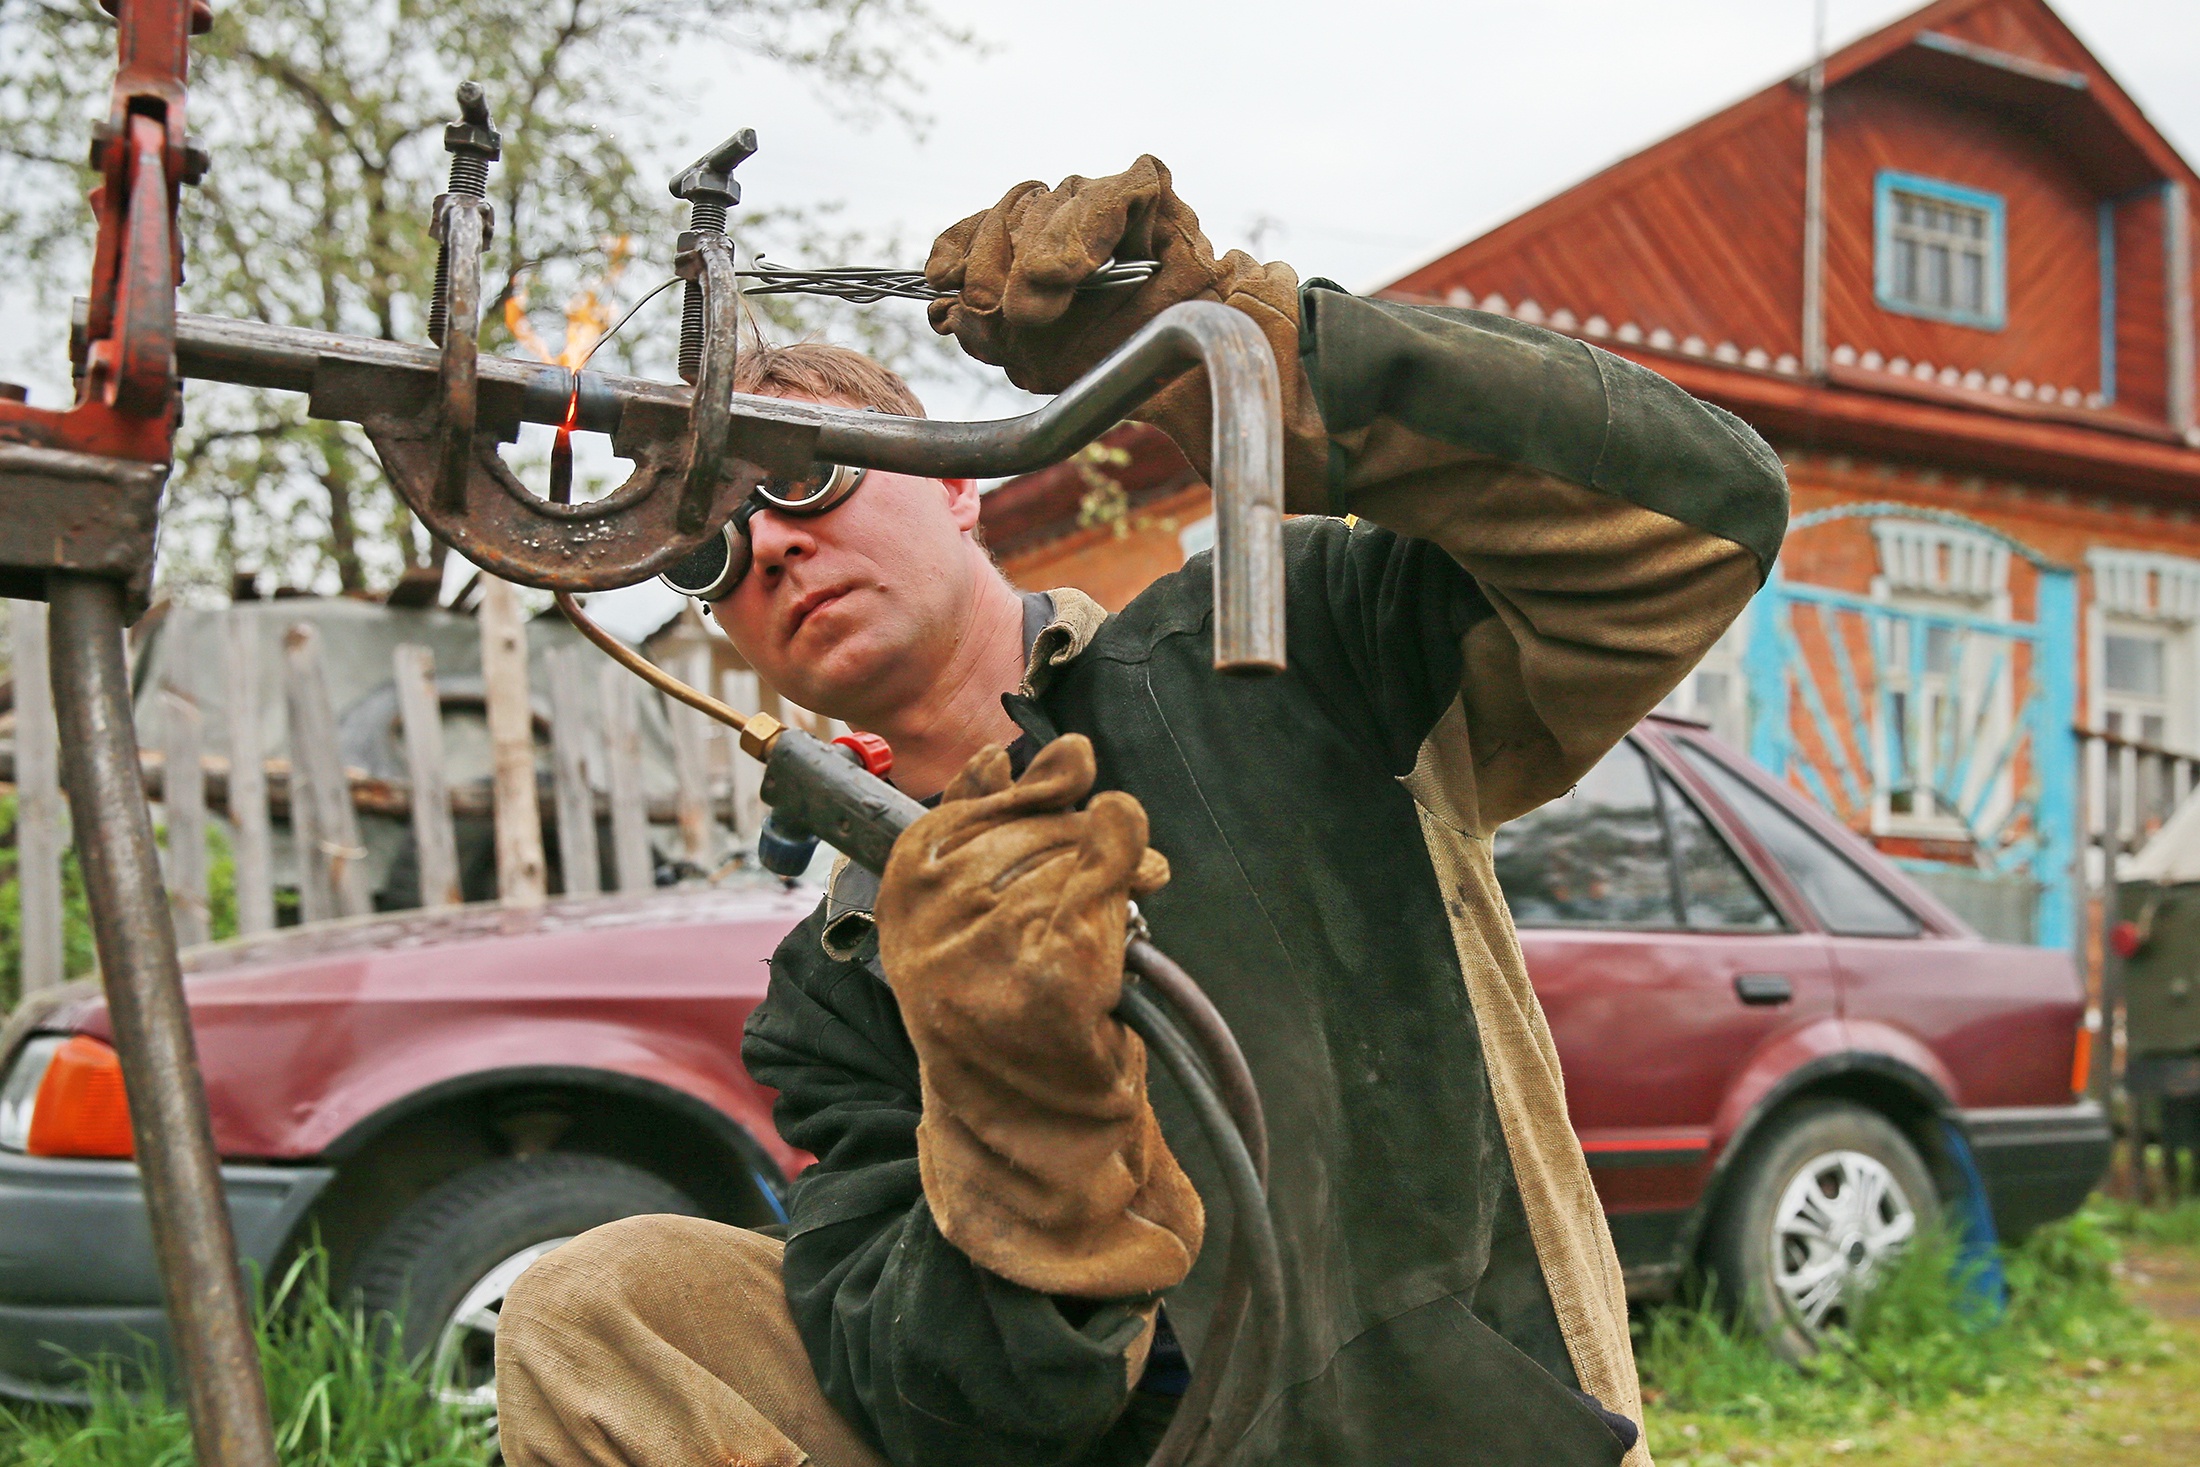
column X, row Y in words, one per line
column 1939, row 252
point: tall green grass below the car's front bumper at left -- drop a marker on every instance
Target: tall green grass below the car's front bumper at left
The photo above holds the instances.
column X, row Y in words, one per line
column 340, row 1393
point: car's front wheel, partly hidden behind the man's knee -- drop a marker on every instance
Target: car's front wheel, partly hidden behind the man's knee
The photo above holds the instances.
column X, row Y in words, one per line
column 445, row 1264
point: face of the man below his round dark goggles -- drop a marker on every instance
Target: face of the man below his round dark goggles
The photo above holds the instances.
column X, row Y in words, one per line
column 859, row 608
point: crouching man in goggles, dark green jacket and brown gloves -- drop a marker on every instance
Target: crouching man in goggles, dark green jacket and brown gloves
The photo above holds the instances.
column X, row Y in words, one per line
column 1508, row 549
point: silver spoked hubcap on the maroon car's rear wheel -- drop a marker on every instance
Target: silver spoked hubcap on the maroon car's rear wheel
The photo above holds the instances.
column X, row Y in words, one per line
column 1840, row 1222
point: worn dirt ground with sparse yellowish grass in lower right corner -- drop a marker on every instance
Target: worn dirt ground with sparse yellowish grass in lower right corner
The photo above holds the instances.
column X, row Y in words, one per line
column 2144, row 1415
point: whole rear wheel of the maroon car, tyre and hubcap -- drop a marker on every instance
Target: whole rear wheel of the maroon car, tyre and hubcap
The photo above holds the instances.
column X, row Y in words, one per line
column 1820, row 1206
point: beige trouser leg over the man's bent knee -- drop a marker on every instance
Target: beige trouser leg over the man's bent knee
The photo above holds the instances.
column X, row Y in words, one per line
column 663, row 1343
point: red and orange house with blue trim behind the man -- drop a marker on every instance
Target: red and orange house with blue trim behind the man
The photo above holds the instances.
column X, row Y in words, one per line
column 1950, row 276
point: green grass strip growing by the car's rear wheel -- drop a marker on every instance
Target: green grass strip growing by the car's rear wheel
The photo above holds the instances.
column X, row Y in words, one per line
column 1919, row 1343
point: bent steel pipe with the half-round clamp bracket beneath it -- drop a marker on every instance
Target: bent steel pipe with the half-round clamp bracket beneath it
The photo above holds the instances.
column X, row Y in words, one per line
column 632, row 533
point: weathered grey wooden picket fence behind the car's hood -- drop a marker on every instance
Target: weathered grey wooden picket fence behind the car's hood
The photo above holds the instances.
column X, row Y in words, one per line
column 597, row 793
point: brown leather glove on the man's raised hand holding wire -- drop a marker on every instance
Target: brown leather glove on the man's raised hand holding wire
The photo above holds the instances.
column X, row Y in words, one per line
column 1015, row 274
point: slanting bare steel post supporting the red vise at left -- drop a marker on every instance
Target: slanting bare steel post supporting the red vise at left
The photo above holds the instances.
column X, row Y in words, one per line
column 153, row 1030
